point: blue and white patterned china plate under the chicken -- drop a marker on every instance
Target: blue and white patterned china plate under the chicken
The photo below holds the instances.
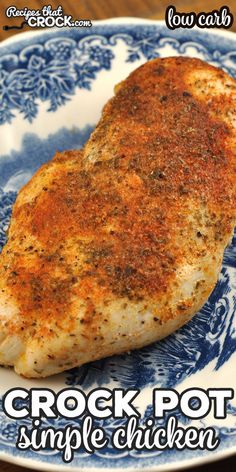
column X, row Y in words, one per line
column 53, row 85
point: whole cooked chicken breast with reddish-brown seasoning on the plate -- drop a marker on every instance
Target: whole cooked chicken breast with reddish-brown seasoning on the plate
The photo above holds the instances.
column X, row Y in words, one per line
column 118, row 245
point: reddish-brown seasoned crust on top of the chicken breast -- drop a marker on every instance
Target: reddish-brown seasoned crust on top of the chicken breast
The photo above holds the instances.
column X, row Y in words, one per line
column 157, row 152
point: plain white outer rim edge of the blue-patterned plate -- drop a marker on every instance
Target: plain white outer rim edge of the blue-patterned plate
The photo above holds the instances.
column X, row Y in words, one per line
column 178, row 465
